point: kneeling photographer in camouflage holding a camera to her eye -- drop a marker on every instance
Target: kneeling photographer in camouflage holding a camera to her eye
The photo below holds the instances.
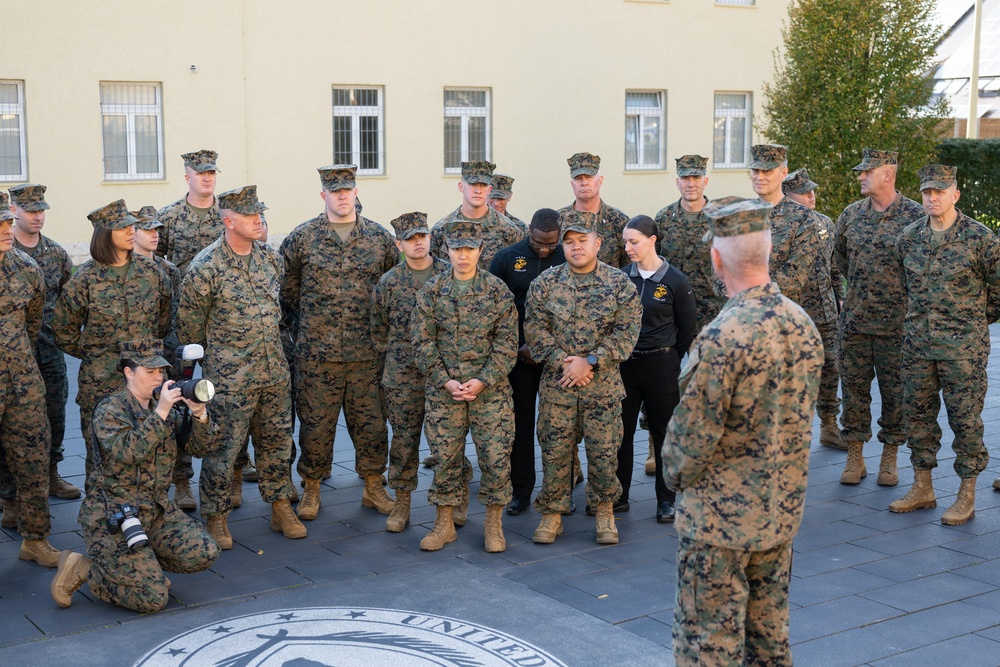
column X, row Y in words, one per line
column 133, row 531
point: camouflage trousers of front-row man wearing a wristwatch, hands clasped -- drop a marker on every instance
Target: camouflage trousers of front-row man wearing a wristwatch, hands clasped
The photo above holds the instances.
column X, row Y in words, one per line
column 560, row 428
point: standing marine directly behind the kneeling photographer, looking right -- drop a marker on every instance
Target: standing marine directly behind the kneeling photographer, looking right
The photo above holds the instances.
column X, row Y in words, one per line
column 230, row 305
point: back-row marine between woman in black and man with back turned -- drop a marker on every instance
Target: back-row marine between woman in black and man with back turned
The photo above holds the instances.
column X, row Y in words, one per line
column 682, row 228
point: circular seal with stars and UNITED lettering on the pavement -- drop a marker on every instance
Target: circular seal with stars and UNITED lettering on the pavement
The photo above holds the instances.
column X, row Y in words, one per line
column 344, row 637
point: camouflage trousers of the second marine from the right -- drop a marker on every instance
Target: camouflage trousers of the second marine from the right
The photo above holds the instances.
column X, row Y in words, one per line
column 862, row 358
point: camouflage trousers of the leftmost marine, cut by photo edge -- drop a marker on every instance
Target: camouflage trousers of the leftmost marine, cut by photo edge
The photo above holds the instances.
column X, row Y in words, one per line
column 24, row 445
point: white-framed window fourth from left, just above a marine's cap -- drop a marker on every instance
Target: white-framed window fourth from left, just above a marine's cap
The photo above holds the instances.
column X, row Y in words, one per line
column 466, row 127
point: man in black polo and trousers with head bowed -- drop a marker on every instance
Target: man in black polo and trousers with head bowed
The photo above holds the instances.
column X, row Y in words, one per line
column 517, row 265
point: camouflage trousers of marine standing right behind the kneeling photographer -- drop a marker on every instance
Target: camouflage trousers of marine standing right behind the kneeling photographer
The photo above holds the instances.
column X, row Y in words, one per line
column 267, row 411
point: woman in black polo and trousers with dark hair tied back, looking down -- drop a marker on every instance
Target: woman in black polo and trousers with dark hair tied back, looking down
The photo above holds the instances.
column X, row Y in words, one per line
column 650, row 375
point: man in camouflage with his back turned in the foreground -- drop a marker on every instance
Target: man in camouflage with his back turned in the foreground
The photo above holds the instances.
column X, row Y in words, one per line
column 737, row 448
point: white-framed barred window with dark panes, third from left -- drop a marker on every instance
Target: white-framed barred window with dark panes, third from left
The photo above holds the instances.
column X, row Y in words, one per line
column 359, row 128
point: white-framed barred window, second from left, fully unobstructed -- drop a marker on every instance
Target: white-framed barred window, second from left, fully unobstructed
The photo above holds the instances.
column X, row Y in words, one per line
column 132, row 118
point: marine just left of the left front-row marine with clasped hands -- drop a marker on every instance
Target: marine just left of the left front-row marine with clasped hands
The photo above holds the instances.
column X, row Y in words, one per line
column 393, row 301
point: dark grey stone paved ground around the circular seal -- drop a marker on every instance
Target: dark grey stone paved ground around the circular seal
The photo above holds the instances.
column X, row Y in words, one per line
column 869, row 587
